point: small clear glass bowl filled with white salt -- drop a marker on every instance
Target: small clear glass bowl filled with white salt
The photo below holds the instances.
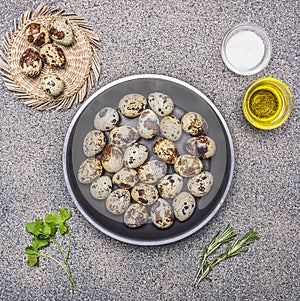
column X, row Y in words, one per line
column 246, row 49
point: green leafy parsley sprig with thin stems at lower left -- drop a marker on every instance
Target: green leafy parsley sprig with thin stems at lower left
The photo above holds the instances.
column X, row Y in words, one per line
column 44, row 232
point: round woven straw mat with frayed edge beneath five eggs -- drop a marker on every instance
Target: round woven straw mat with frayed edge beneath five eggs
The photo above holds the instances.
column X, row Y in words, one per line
column 81, row 71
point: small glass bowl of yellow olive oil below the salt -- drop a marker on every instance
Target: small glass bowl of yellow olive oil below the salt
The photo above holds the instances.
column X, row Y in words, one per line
column 267, row 103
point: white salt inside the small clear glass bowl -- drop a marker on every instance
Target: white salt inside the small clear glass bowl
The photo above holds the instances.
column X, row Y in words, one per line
column 245, row 50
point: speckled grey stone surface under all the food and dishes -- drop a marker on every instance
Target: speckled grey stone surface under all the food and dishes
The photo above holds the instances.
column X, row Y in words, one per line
column 181, row 39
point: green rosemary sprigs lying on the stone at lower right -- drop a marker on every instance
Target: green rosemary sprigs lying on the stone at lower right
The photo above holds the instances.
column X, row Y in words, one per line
column 232, row 250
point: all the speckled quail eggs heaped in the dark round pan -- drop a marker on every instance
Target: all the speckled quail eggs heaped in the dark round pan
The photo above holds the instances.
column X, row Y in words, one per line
column 138, row 170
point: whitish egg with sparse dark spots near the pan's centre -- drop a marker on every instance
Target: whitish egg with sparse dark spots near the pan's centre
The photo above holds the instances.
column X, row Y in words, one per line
column 135, row 155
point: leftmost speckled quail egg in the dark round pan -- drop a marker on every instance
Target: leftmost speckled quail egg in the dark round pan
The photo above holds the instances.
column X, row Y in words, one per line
column 89, row 170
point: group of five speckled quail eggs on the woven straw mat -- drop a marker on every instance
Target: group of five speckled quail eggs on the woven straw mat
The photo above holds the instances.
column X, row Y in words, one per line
column 46, row 48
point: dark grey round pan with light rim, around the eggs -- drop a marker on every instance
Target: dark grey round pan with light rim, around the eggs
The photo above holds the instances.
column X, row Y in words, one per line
column 186, row 98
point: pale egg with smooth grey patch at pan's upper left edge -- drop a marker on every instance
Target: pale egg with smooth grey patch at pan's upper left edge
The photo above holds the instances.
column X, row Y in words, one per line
column 106, row 119
